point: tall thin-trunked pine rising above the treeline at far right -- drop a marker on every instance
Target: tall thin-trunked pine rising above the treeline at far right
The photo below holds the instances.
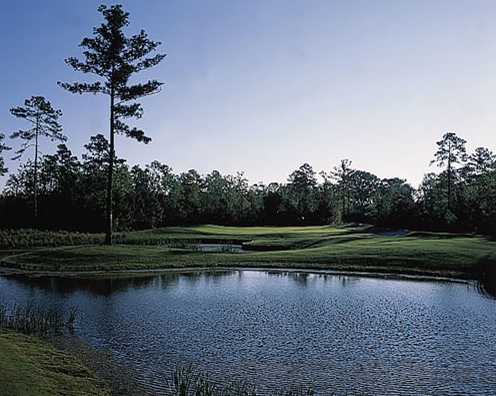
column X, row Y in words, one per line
column 450, row 151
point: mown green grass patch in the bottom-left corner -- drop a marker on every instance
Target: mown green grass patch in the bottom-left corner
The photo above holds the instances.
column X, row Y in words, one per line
column 32, row 367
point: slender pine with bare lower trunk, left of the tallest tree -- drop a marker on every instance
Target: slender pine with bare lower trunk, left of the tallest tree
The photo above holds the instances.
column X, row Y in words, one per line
column 44, row 120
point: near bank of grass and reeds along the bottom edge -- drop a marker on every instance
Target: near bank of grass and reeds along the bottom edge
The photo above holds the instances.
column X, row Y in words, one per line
column 31, row 365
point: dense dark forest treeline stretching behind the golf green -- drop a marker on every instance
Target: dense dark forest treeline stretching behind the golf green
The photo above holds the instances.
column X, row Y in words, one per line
column 71, row 194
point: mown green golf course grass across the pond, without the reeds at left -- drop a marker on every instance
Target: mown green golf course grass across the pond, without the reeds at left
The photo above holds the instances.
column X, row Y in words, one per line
column 341, row 248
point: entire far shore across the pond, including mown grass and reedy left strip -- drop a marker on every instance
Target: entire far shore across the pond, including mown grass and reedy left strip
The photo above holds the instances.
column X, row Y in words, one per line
column 354, row 250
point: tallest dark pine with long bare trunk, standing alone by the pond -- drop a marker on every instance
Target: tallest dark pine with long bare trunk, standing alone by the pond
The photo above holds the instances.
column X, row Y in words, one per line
column 115, row 58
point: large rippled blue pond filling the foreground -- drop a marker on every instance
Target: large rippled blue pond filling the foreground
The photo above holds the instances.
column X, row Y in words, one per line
column 341, row 334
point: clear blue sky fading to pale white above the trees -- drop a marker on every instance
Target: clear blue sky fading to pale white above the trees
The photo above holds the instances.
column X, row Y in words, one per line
column 264, row 86
